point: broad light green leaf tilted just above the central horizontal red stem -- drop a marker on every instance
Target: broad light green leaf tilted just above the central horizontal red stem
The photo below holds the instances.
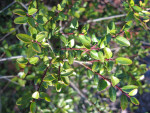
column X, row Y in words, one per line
column 85, row 40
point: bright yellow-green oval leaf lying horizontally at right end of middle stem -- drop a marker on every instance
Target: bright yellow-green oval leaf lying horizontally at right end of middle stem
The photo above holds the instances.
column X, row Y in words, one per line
column 123, row 61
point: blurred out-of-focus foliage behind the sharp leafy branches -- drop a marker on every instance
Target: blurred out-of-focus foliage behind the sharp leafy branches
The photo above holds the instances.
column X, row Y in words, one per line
column 69, row 99
